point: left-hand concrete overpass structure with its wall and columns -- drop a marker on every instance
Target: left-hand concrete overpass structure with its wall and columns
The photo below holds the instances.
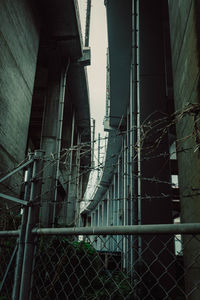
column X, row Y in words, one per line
column 45, row 104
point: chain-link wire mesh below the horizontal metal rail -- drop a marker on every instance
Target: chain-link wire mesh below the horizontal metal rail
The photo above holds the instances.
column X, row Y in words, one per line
column 106, row 266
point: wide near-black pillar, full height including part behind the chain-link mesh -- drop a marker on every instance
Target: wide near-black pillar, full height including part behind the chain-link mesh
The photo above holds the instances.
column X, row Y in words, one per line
column 153, row 104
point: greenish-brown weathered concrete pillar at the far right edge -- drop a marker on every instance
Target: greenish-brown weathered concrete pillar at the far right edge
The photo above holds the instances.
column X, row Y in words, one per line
column 185, row 49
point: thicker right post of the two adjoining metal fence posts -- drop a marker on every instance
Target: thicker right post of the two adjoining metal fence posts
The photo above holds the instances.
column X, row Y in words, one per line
column 33, row 211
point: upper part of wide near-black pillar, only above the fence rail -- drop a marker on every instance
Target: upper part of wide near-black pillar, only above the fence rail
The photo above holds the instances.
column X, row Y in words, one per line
column 153, row 98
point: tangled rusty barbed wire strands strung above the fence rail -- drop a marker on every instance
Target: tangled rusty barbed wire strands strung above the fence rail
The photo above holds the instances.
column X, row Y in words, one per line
column 160, row 126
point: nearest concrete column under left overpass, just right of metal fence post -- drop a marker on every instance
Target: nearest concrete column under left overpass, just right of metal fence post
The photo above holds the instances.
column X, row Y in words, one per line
column 49, row 138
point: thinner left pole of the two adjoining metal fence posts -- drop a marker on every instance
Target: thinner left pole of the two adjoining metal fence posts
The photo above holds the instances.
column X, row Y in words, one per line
column 20, row 251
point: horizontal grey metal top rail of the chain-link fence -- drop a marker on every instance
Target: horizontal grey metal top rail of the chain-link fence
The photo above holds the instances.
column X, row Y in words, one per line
column 182, row 228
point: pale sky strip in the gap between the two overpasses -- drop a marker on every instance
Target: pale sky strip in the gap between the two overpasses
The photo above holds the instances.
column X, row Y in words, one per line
column 97, row 70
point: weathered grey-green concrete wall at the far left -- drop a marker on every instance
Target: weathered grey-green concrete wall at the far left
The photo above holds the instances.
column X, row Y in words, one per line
column 19, row 39
